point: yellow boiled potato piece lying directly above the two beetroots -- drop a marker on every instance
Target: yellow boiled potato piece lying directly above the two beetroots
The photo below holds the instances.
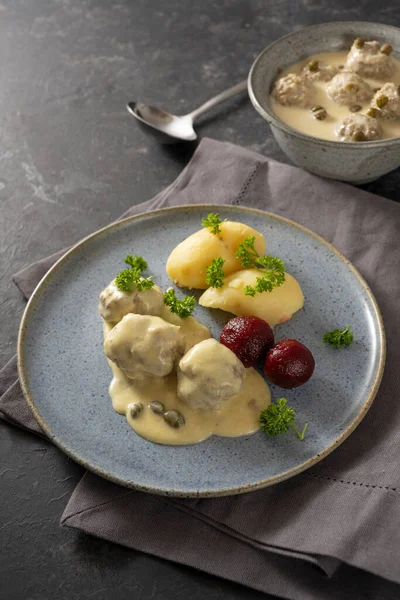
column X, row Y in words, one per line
column 274, row 307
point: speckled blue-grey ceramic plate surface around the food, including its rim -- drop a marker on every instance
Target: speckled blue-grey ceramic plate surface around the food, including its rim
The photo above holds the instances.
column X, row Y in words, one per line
column 65, row 376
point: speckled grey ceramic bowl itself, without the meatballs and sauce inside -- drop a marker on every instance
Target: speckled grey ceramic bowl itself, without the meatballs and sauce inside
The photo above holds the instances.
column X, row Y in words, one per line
column 347, row 161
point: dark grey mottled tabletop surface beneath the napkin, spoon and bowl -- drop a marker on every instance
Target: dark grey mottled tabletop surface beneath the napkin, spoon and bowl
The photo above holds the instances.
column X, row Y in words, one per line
column 71, row 159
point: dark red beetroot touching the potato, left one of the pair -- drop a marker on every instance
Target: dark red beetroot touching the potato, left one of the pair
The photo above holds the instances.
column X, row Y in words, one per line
column 248, row 337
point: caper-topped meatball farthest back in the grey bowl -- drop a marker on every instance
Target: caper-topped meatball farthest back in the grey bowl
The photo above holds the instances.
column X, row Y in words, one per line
column 370, row 59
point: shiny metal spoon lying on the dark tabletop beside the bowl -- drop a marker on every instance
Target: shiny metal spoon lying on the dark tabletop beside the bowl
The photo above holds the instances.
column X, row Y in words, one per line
column 167, row 128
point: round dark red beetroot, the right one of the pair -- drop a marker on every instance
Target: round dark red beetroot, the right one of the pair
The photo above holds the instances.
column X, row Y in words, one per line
column 289, row 364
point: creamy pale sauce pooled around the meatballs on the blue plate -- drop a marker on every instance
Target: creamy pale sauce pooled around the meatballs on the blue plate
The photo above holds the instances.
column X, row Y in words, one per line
column 239, row 415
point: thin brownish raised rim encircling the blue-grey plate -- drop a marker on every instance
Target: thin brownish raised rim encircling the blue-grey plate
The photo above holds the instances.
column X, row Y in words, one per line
column 269, row 481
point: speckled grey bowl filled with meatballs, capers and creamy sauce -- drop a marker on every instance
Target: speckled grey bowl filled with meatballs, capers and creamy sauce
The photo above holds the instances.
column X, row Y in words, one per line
column 331, row 94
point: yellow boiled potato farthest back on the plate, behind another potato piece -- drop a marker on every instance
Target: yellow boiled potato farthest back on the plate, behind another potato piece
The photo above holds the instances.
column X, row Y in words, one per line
column 187, row 263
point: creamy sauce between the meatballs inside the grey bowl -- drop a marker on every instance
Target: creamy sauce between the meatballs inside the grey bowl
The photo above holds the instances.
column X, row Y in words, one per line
column 303, row 120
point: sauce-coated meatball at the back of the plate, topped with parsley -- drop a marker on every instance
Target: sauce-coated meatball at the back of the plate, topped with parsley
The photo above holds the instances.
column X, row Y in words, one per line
column 115, row 304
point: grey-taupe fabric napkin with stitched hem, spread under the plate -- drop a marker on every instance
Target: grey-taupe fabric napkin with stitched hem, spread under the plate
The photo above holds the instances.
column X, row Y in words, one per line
column 330, row 532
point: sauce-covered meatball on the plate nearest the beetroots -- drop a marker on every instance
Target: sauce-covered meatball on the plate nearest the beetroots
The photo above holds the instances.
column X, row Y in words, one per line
column 209, row 374
